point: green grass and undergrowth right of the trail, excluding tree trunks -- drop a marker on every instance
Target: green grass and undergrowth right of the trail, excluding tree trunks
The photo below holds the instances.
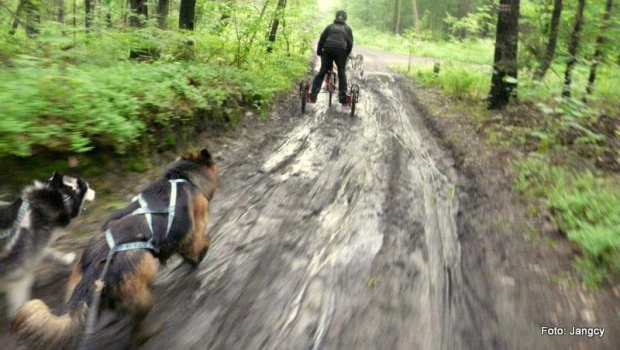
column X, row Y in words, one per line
column 564, row 140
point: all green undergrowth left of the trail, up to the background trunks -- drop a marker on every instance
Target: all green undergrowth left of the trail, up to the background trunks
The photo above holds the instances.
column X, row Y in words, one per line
column 71, row 90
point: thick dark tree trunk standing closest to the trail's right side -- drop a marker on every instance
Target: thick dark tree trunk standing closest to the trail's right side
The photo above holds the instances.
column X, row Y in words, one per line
column 505, row 67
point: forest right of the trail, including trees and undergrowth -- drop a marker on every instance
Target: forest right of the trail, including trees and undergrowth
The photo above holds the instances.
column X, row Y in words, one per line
column 550, row 67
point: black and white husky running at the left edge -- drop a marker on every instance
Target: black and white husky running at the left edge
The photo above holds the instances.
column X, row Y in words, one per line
column 28, row 227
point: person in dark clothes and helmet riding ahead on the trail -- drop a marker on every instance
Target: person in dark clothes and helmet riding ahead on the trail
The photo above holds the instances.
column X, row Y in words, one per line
column 335, row 45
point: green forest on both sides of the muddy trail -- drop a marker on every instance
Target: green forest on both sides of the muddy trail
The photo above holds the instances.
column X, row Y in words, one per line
column 138, row 76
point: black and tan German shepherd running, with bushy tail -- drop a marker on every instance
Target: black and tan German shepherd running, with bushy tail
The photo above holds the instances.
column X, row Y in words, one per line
column 131, row 274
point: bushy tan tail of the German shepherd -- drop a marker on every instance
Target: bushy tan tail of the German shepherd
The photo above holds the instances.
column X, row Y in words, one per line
column 34, row 326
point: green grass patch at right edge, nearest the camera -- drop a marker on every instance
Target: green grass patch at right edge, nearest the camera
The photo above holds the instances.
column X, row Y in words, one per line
column 585, row 207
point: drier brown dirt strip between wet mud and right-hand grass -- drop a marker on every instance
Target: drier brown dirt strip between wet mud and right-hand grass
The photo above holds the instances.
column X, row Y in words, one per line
column 521, row 260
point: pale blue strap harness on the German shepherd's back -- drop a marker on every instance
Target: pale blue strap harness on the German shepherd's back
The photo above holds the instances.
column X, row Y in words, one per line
column 148, row 213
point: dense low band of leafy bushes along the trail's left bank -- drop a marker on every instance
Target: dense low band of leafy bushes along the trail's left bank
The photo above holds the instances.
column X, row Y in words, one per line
column 78, row 107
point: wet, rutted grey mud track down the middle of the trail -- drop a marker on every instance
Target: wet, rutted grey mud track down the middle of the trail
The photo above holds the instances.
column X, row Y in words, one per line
column 344, row 235
